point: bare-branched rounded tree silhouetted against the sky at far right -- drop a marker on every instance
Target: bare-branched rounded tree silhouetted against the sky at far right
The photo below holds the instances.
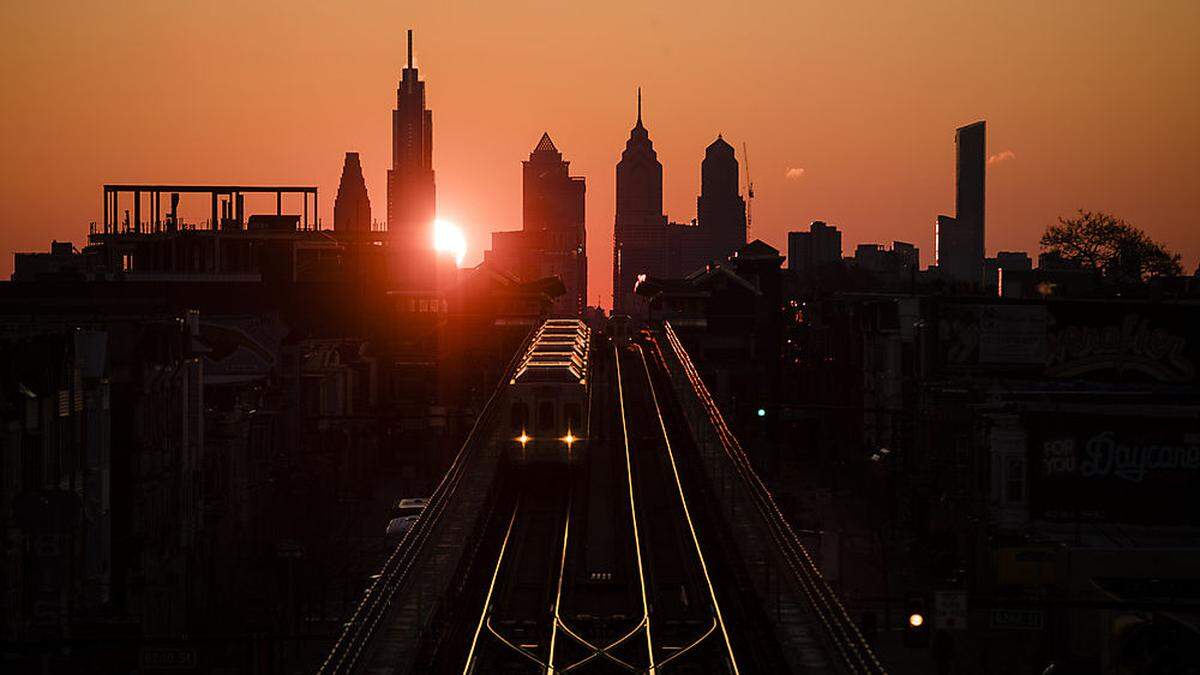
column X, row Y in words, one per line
column 1112, row 247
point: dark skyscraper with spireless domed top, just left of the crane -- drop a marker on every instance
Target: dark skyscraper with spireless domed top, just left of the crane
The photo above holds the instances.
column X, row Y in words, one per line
column 721, row 210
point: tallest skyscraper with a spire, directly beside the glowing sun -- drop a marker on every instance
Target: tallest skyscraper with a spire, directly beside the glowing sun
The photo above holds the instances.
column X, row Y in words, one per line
column 412, row 198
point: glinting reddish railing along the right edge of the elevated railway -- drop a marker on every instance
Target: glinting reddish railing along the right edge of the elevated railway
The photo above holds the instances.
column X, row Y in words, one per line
column 854, row 650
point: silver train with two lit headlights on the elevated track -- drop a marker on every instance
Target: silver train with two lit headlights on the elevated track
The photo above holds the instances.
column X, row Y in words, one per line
column 550, row 396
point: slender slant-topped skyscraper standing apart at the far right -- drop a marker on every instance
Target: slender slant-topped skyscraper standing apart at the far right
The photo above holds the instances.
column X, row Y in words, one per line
column 961, row 250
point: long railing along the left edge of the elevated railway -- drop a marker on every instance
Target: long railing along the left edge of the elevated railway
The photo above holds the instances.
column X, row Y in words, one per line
column 350, row 647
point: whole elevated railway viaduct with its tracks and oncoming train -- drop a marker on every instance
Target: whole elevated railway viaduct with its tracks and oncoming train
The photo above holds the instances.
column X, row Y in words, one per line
column 603, row 552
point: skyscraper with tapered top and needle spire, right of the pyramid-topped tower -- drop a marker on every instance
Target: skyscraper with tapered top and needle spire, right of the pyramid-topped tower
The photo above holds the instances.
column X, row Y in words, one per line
column 640, row 230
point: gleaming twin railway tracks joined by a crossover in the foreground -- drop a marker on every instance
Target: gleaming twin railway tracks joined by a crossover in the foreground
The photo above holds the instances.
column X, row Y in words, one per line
column 668, row 614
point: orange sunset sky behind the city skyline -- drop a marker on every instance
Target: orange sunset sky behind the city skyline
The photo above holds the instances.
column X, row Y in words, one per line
column 849, row 110
